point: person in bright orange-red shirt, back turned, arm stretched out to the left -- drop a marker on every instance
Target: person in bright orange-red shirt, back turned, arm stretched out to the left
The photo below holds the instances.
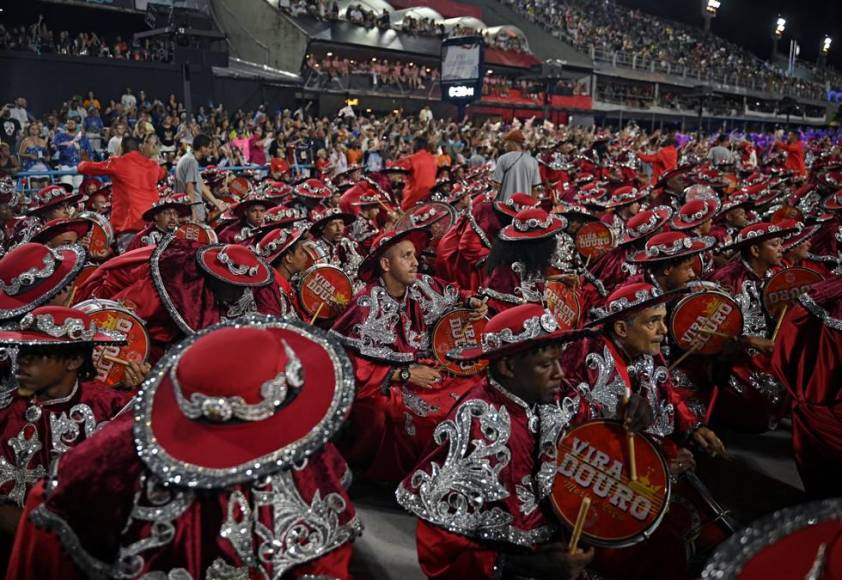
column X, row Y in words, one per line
column 134, row 179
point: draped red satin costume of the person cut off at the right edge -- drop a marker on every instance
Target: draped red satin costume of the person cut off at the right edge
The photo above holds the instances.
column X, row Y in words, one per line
column 808, row 361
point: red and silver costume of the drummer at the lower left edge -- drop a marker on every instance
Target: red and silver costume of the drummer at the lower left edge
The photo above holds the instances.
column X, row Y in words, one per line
column 35, row 435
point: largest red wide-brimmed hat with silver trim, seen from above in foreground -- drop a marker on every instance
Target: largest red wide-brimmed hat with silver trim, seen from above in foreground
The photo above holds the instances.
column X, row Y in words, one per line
column 241, row 400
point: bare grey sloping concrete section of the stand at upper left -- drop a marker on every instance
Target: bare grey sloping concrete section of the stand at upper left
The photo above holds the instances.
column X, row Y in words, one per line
column 258, row 33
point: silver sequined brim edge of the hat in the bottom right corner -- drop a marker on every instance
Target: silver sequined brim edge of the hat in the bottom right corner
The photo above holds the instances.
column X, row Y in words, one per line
column 733, row 554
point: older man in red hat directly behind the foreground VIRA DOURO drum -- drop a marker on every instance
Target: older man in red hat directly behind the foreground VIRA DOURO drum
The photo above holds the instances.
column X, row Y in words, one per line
column 626, row 359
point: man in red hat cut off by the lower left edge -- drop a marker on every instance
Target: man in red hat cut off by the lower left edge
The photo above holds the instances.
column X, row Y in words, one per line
column 56, row 405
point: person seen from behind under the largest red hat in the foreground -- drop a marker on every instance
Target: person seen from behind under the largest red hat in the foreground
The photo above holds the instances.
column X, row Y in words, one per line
column 225, row 469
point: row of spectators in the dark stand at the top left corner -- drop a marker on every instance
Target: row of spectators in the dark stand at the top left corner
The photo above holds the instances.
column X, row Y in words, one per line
column 38, row 38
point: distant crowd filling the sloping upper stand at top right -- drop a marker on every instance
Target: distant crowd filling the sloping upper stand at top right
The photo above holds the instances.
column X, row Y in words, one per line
column 610, row 28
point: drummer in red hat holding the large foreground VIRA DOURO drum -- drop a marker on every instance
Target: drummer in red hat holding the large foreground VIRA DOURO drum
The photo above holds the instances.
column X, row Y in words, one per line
column 491, row 455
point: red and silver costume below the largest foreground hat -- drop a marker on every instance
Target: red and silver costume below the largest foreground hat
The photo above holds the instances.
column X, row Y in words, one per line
column 73, row 539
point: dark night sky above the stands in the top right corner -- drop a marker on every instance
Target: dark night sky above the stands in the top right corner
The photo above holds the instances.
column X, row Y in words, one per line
column 750, row 23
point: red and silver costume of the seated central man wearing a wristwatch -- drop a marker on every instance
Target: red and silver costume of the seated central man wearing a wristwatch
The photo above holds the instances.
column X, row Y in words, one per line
column 391, row 423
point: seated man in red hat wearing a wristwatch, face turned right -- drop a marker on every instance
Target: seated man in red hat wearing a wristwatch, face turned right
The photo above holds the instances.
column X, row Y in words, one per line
column 401, row 394
